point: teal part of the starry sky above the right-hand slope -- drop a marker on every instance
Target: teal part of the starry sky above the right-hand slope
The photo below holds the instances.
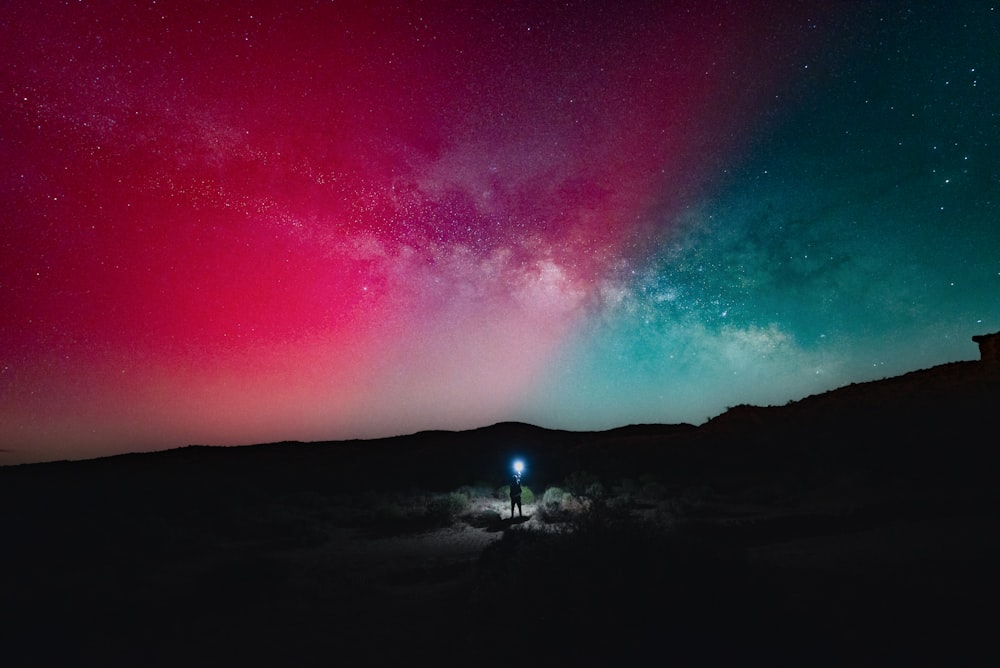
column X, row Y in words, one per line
column 857, row 239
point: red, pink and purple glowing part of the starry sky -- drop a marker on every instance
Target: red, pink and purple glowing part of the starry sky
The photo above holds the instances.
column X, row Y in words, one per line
column 264, row 221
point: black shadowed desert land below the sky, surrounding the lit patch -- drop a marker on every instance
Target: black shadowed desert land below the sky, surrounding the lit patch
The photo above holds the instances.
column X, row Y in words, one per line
column 854, row 528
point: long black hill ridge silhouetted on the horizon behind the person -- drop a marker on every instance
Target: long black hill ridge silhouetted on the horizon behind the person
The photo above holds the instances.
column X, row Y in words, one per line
column 937, row 416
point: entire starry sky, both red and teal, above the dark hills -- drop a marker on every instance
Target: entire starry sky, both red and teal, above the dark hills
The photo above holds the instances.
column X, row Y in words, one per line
column 245, row 222
